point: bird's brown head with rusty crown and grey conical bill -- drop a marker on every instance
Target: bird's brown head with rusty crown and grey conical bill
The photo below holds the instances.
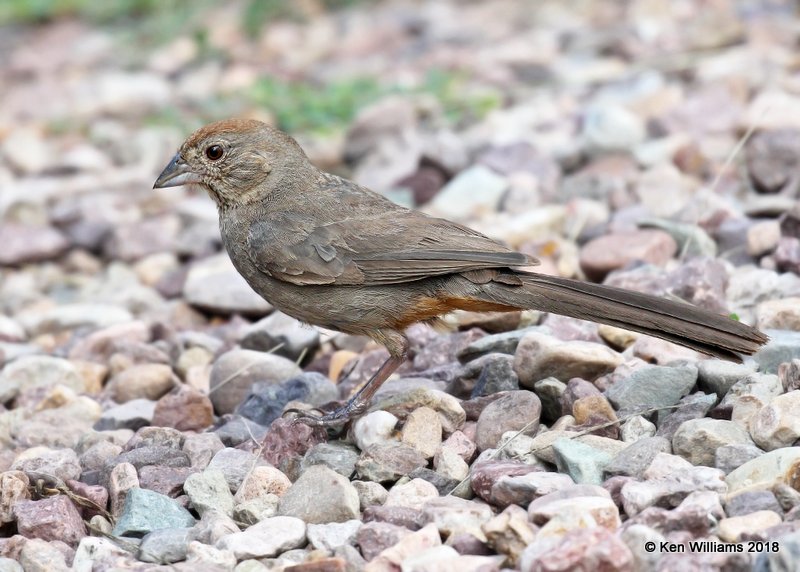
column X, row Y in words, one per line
column 237, row 161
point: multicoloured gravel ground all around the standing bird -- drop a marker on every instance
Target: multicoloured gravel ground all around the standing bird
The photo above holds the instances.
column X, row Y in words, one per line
column 648, row 144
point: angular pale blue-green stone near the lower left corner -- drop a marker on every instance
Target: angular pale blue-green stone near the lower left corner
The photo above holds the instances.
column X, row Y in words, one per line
column 146, row 511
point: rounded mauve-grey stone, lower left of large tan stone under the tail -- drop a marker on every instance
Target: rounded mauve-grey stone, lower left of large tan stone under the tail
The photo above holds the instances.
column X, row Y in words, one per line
column 514, row 411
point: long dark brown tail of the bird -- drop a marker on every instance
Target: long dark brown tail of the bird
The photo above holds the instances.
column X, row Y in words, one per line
column 677, row 322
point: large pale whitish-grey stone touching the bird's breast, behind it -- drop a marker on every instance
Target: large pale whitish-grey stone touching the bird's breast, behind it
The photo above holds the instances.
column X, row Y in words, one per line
column 213, row 284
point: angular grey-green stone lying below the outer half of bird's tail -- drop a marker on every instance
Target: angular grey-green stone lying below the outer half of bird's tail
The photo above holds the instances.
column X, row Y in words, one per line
column 652, row 386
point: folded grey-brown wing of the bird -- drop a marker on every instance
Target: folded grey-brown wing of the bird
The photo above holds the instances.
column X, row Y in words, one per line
column 386, row 248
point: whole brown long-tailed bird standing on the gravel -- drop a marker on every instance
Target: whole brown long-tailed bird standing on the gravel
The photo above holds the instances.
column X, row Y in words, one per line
column 329, row 252
